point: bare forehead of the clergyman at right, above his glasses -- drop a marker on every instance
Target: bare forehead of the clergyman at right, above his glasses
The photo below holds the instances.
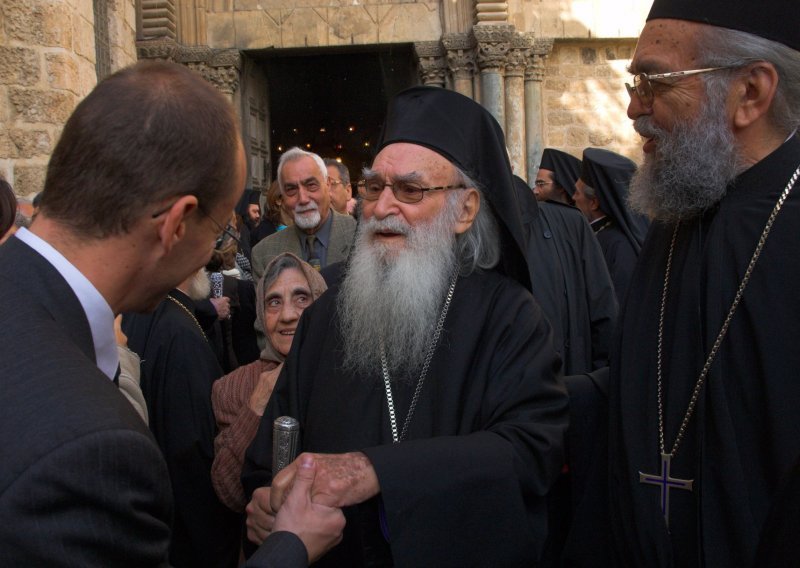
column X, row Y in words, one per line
column 667, row 45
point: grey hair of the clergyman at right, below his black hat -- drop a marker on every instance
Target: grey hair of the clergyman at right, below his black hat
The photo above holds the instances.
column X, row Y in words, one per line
column 722, row 47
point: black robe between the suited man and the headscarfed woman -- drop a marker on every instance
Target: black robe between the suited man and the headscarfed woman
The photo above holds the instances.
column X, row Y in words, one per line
column 178, row 369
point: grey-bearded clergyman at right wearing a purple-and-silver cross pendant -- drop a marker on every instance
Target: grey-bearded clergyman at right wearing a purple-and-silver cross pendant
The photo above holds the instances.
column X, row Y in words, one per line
column 704, row 389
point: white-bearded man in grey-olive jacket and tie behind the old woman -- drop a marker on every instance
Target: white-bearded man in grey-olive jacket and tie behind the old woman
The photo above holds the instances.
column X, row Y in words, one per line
column 320, row 235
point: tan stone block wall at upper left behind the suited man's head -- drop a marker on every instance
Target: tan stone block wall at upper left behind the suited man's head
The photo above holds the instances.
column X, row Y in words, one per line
column 47, row 64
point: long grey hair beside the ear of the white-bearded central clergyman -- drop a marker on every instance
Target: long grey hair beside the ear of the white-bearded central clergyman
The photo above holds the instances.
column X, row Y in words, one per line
column 478, row 246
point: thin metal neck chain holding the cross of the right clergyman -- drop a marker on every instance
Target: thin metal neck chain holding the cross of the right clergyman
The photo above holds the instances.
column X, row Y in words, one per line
column 722, row 332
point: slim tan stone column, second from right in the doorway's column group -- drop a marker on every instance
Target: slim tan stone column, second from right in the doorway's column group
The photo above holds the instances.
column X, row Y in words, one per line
column 516, row 62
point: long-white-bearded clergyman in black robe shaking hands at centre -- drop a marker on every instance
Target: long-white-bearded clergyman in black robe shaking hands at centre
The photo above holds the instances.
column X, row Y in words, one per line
column 439, row 424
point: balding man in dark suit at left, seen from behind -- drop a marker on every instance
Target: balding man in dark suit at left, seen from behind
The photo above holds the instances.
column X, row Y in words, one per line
column 134, row 193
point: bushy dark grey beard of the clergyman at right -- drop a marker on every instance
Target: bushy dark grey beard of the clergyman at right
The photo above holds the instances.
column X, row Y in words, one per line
column 691, row 167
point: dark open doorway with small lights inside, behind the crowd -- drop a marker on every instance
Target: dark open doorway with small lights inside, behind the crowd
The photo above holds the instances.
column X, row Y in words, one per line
column 333, row 103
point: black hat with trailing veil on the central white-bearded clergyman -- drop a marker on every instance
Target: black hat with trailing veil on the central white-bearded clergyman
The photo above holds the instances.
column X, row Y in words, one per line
column 465, row 133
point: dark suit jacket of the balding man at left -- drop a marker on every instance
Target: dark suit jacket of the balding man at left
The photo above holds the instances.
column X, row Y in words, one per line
column 82, row 482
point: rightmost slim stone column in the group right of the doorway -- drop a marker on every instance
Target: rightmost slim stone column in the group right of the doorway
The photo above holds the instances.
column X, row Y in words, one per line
column 534, row 123
